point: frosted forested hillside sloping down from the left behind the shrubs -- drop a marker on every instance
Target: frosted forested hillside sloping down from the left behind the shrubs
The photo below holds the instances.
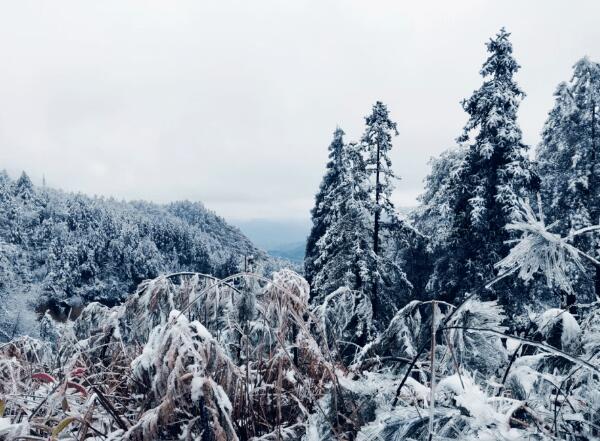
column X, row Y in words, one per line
column 60, row 249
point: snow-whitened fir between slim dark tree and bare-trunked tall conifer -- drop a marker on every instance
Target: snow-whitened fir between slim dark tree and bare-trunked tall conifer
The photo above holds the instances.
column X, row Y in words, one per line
column 345, row 255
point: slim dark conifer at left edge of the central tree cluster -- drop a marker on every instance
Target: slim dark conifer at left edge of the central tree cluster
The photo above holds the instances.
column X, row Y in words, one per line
column 321, row 210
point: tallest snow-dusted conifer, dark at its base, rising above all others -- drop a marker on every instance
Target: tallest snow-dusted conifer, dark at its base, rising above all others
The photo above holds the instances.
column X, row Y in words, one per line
column 494, row 175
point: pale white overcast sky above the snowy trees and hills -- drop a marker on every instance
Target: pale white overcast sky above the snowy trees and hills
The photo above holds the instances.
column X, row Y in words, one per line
column 233, row 102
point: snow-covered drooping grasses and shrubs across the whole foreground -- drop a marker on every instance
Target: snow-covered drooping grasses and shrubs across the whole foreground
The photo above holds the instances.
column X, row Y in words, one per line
column 189, row 356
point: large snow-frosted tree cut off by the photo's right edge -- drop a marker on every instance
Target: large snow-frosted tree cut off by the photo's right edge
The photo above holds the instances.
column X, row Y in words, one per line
column 569, row 158
